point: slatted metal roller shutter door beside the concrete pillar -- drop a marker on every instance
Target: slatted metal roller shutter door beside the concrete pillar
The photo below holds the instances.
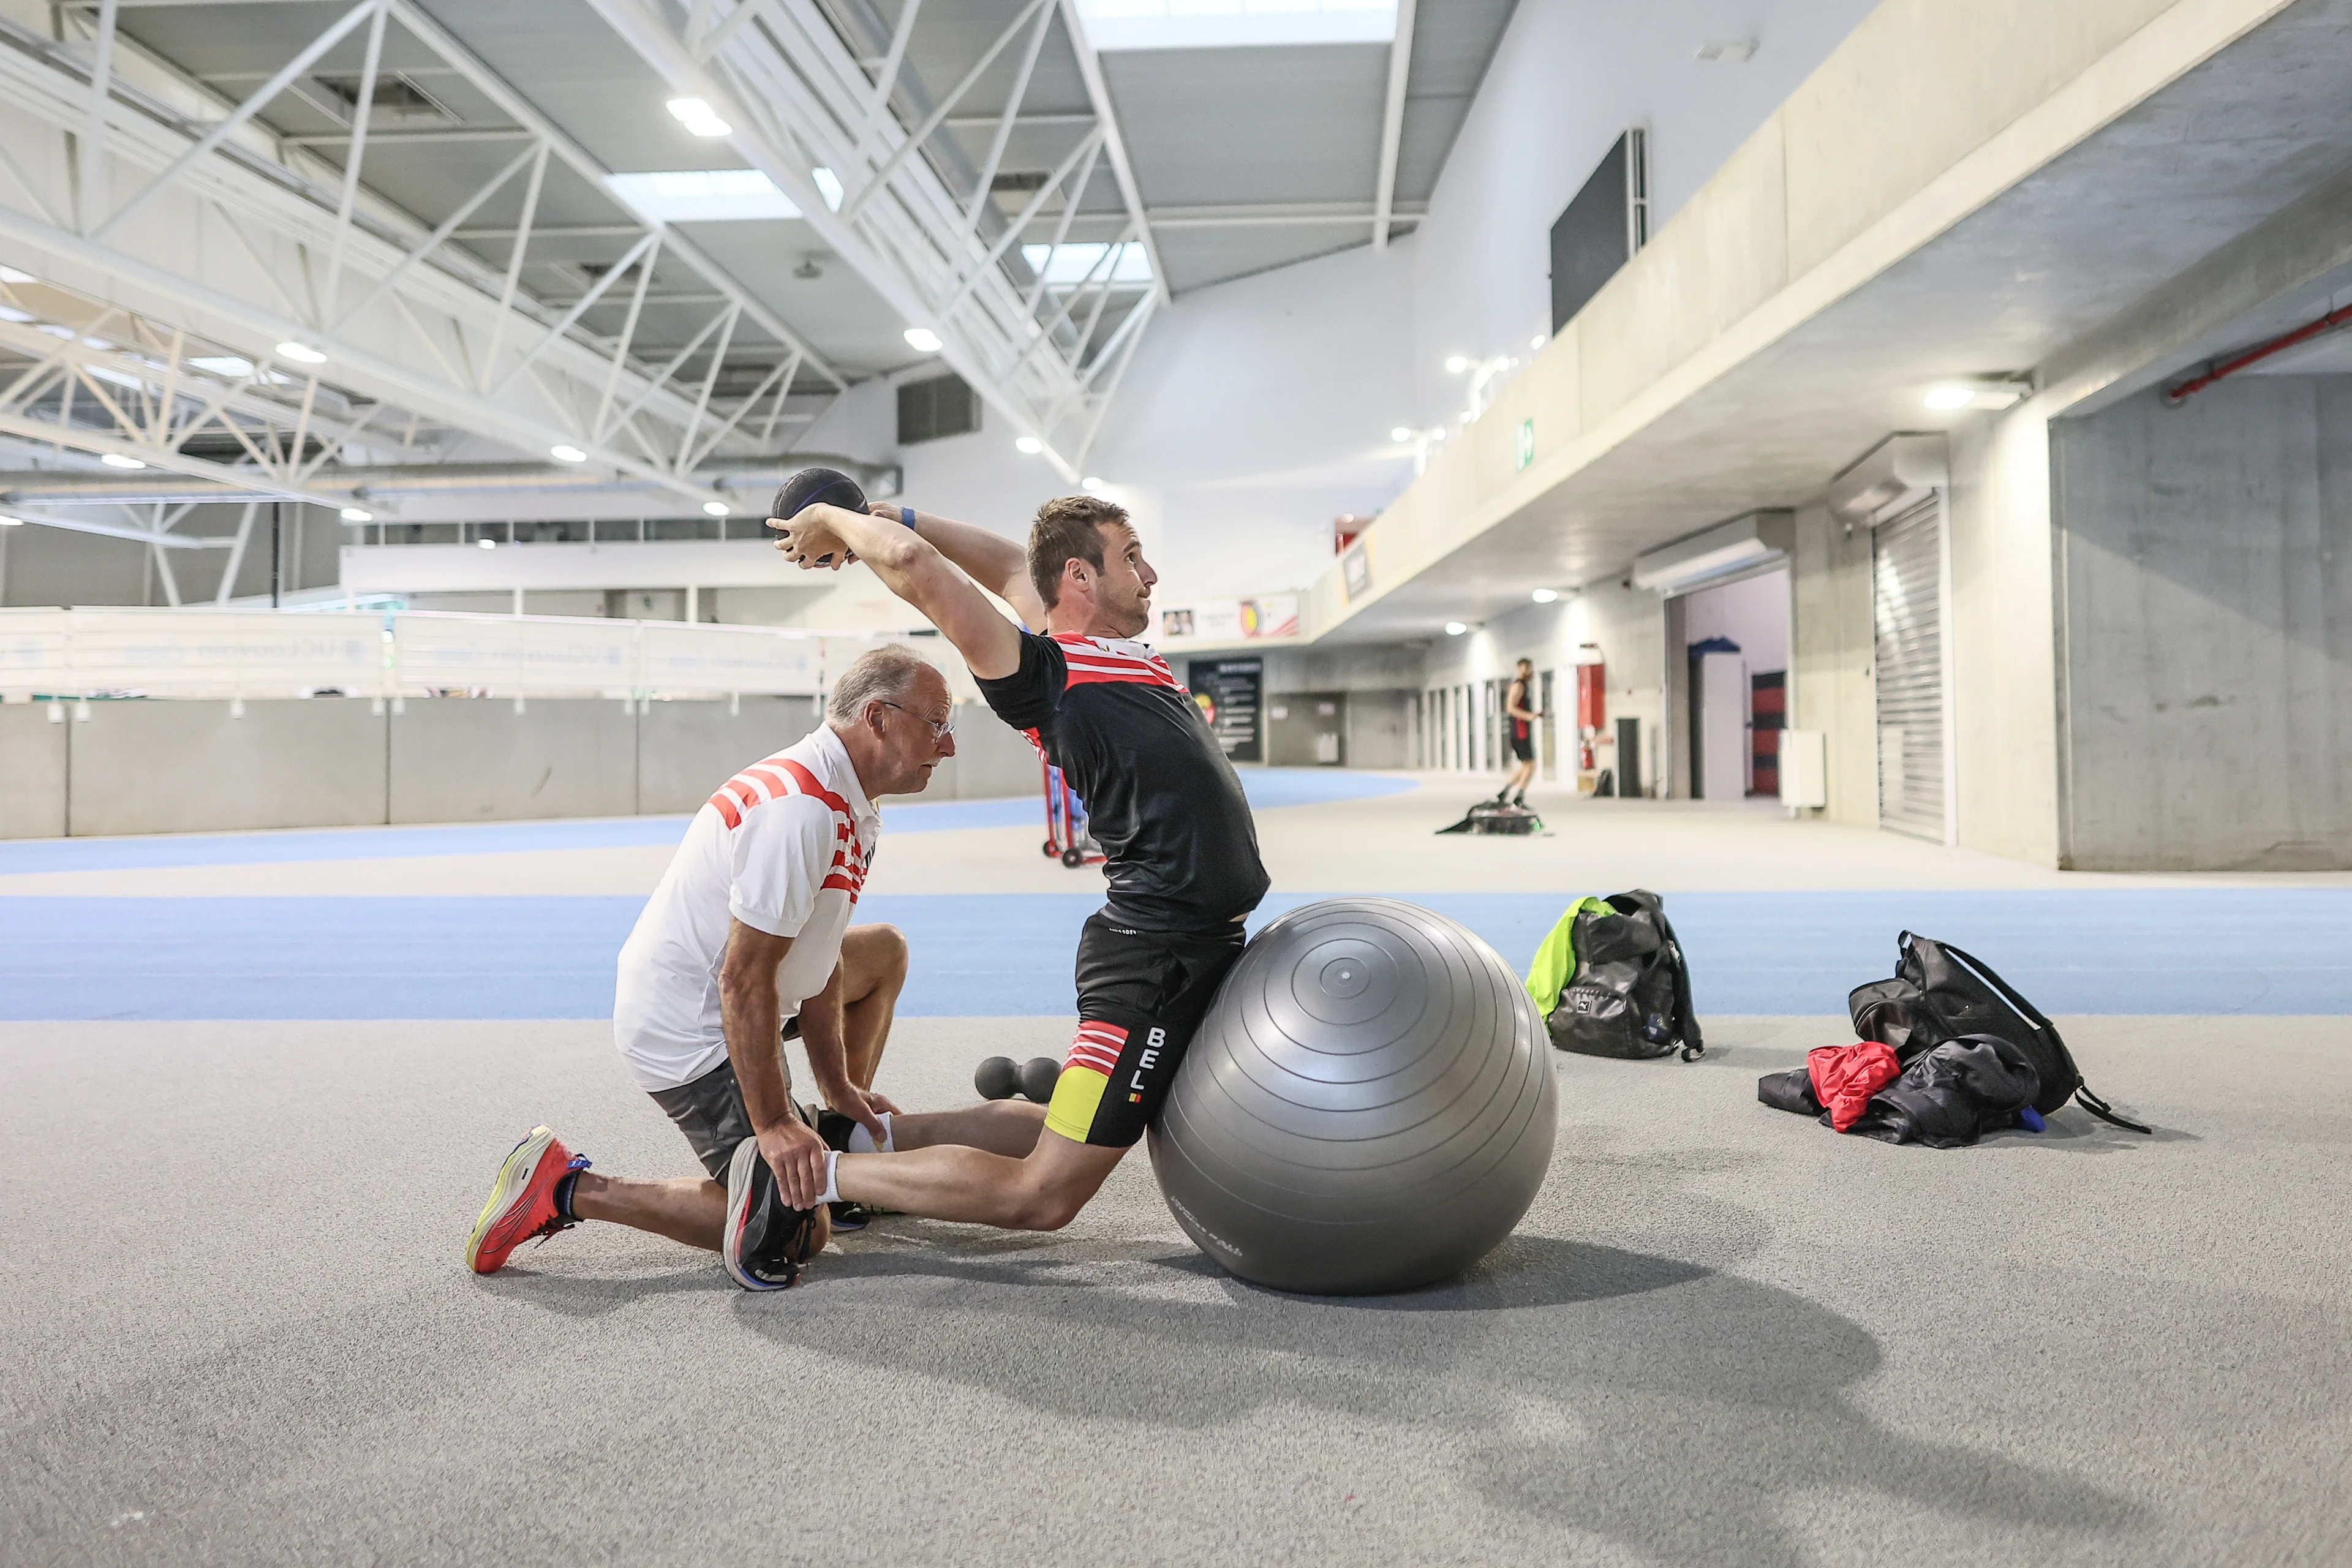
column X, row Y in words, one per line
column 1906, row 591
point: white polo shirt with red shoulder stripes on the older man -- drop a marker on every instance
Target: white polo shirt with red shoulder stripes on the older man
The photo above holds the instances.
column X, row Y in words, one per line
column 784, row 847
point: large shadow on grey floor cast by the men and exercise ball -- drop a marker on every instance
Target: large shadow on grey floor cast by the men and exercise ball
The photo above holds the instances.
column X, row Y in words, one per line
column 1643, row 1400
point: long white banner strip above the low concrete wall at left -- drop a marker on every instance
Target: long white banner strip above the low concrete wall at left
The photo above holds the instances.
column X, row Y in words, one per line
column 262, row 655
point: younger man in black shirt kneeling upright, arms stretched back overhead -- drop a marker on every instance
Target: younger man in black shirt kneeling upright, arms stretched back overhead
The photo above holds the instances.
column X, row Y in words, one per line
column 1180, row 843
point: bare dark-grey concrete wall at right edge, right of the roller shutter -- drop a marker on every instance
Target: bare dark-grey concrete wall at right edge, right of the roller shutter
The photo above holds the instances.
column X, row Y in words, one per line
column 2207, row 631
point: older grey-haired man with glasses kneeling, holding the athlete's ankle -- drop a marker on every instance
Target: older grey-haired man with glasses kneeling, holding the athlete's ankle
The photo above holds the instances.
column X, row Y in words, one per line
column 744, row 944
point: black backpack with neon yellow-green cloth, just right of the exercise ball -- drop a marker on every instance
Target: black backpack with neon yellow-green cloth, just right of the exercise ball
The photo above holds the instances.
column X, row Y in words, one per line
column 1631, row 991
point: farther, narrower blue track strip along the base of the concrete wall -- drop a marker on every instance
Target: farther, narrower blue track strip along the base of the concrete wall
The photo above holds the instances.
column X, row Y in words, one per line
column 1264, row 789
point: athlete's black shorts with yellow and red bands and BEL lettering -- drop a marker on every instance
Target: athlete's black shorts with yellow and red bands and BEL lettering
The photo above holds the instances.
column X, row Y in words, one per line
column 1140, row 998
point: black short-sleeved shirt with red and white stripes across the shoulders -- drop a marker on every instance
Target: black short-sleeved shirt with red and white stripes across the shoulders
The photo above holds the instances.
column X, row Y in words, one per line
column 1163, row 800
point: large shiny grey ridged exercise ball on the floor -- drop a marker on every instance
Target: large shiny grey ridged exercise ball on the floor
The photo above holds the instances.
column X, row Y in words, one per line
column 1368, row 1106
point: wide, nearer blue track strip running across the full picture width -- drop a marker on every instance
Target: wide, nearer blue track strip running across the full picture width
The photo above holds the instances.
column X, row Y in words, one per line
column 2160, row 951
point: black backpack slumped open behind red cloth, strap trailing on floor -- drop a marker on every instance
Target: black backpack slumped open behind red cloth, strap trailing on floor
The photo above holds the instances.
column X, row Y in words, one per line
column 1944, row 996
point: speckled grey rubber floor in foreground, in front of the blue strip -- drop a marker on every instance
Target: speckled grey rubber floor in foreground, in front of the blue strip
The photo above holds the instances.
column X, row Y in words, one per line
column 234, row 1329
